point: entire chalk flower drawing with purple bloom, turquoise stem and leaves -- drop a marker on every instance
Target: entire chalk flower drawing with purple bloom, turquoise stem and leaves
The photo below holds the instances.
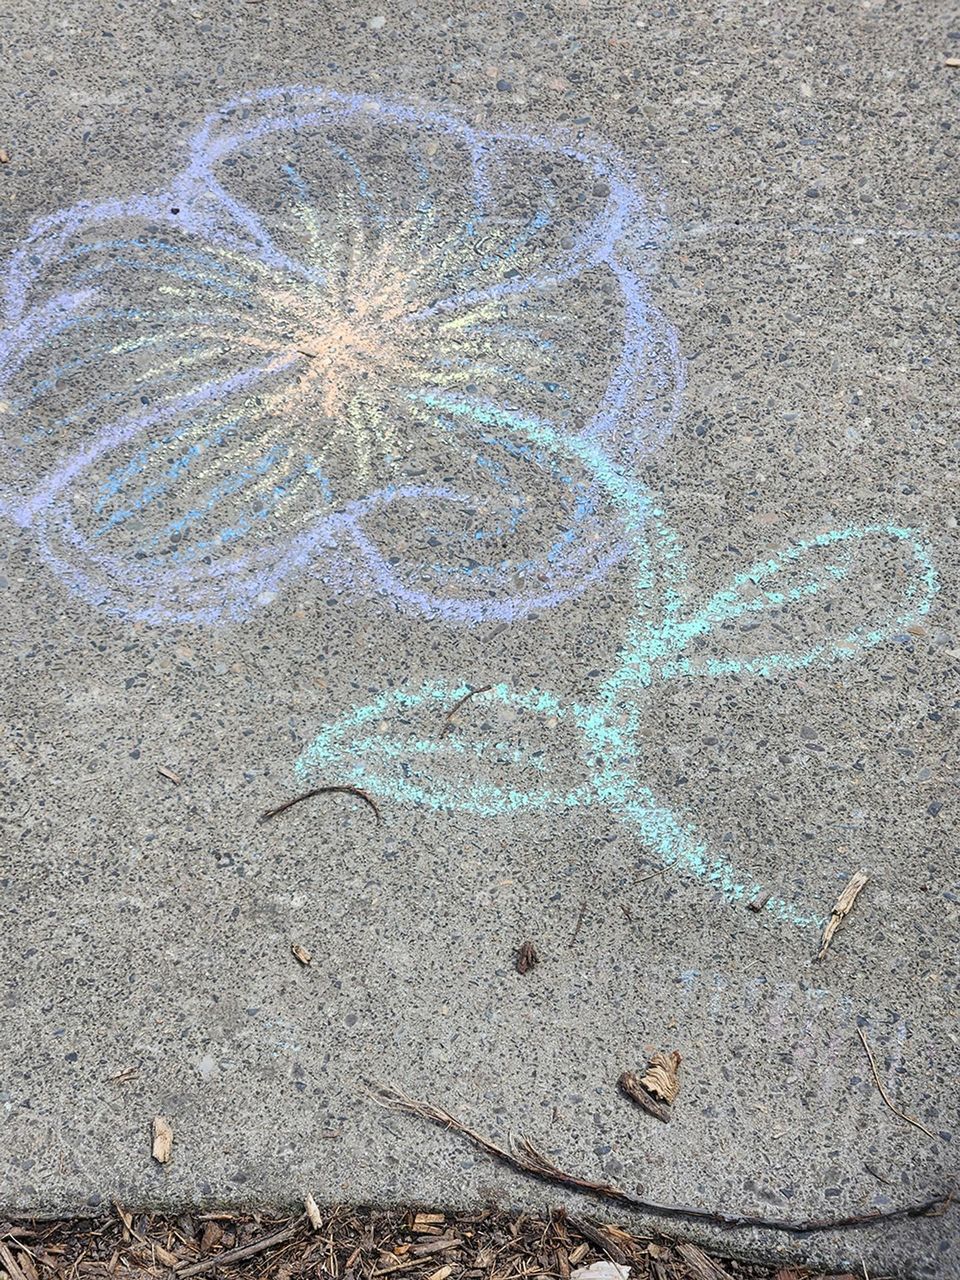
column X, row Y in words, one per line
column 417, row 359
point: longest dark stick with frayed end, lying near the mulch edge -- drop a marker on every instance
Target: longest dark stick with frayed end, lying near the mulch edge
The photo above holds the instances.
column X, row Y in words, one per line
column 524, row 1156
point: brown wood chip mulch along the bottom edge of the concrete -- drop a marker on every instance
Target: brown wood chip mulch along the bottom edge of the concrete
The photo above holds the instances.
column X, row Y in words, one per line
column 353, row 1245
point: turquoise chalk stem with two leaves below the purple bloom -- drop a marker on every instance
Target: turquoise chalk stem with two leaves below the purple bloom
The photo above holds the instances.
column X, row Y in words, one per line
column 826, row 598
